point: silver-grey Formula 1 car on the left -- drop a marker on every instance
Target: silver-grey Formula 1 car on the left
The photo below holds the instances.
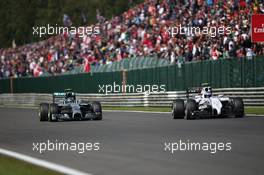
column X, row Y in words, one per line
column 68, row 108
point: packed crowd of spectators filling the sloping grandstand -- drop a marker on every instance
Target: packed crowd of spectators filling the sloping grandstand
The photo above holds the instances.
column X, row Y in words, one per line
column 142, row 31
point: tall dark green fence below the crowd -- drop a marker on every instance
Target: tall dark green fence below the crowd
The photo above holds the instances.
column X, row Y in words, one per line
column 225, row 73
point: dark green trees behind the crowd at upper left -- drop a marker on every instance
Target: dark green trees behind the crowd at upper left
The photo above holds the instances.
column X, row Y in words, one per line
column 18, row 17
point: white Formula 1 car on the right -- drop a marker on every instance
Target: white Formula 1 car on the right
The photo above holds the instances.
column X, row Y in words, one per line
column 204, row 104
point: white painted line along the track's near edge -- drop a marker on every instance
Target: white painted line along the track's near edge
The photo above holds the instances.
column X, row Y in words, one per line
column 42, row 163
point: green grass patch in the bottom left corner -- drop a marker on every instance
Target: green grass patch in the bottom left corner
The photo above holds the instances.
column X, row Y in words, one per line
column 11, row 166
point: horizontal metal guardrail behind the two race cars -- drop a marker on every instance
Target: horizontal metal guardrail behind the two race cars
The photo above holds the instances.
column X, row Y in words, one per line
column 251, row 97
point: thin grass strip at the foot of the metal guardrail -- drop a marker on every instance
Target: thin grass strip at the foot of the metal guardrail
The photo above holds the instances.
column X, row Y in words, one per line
column 248, row 110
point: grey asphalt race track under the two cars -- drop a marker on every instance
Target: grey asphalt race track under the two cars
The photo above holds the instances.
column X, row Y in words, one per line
column 133, row 143
